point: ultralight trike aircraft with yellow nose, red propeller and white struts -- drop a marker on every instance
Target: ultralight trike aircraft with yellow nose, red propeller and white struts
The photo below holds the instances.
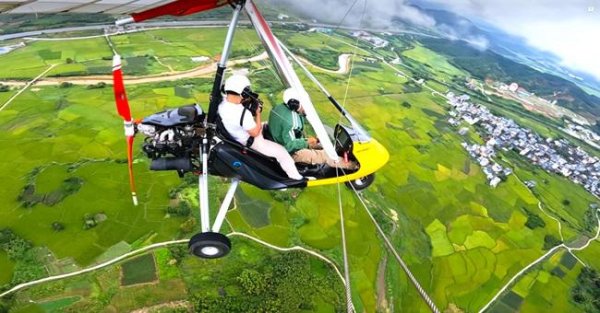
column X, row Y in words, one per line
column 187, row 139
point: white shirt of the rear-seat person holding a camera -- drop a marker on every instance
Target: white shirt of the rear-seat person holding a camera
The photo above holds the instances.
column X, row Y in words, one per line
column 231, row 114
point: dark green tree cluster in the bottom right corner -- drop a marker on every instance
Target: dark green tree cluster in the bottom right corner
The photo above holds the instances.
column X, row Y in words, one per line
column 587, row 291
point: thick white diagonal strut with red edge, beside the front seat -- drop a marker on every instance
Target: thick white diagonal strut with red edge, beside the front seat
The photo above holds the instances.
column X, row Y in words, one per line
column 288, row 75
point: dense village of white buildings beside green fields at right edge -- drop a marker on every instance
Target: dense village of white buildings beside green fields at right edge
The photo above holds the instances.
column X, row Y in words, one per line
column 553, row 155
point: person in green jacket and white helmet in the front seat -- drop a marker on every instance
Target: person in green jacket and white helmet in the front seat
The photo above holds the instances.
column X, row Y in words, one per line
column 286, row 124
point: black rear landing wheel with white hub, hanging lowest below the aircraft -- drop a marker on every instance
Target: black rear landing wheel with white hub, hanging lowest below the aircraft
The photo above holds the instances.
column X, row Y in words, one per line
column 209, row 245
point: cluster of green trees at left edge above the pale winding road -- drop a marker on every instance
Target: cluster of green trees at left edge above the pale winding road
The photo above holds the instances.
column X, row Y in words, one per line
column 22, row 253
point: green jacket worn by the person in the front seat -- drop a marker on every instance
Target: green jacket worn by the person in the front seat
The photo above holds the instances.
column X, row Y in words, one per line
column 287, row 128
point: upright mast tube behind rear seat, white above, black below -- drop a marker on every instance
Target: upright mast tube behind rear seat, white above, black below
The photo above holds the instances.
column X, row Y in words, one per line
column 215, row 96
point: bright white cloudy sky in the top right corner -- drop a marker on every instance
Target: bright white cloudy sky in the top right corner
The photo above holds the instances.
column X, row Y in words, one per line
column 569, row 29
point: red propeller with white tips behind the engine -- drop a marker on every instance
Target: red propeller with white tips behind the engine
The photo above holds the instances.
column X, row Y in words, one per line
column 125, row 112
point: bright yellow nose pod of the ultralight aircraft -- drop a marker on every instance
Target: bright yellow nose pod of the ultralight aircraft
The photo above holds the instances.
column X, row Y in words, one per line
column 370, row 155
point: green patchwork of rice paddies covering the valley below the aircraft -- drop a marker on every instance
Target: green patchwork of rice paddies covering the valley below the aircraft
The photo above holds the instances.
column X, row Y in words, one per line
column 462, row 239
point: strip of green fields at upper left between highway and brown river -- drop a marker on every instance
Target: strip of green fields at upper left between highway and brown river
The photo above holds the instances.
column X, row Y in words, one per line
column 144, row 53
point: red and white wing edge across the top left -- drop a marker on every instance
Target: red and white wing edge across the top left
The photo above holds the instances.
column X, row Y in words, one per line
column 147, row 8
